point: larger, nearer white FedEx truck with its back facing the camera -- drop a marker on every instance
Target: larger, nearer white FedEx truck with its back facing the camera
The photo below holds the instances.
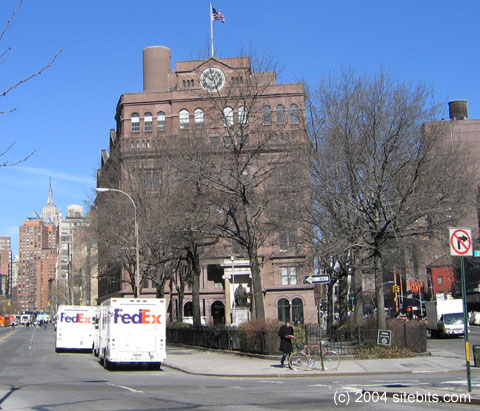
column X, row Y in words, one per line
column 132, row 330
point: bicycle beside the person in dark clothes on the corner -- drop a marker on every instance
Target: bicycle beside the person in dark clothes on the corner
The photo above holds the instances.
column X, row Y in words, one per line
column 309, row 356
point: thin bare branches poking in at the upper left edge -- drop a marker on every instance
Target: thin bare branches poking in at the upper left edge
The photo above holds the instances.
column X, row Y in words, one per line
column 7, row 90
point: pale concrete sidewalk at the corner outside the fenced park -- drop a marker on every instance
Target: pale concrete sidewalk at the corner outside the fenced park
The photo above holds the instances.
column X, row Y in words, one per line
column 205, row 362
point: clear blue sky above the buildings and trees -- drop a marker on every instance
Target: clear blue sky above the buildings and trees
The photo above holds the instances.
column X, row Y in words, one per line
column 65, row 113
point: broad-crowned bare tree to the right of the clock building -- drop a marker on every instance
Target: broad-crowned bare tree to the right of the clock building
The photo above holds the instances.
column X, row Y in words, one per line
column 378, row 175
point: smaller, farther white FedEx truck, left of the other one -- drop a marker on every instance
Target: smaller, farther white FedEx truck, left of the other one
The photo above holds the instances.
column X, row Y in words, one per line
column 74, row 327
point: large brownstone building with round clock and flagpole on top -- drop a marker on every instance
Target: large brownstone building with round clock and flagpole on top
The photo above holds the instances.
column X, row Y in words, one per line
column 174, row 103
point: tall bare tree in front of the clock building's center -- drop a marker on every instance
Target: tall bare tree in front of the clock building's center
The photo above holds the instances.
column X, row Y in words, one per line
column 240, row 159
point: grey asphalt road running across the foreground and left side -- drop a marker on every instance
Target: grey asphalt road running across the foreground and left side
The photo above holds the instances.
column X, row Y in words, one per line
column 34, row 377
